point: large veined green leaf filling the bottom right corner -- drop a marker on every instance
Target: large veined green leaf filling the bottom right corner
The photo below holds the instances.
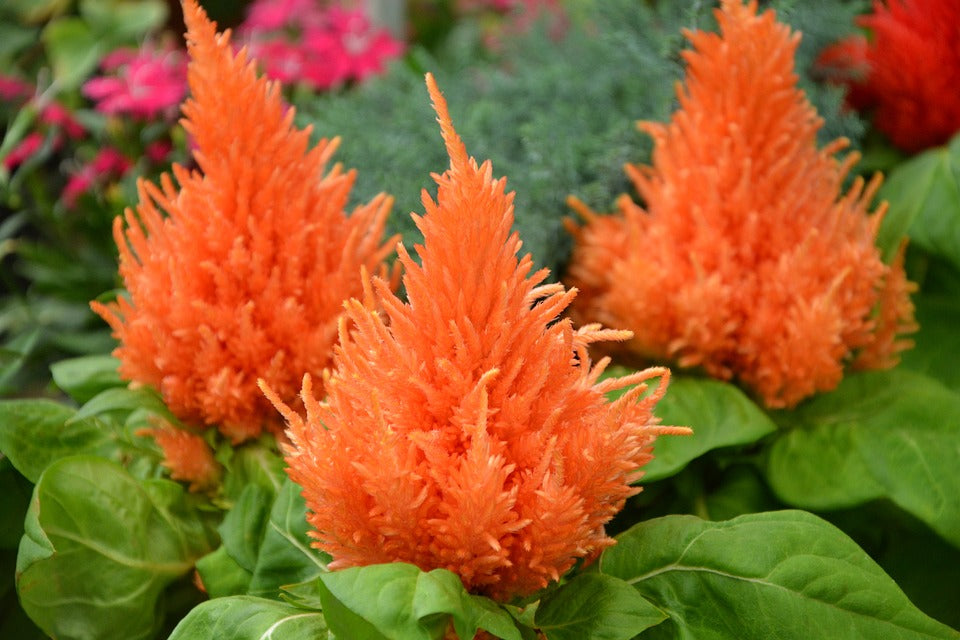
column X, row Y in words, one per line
column 784, row 575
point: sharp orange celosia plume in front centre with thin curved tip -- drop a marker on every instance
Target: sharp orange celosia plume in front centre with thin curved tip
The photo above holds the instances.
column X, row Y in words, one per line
column 466, row 429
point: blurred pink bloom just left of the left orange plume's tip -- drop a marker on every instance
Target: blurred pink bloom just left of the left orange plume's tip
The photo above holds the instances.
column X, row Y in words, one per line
column 143, row 83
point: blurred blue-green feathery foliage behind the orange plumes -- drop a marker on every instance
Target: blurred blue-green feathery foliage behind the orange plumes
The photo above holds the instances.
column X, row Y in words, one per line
column 558, row 117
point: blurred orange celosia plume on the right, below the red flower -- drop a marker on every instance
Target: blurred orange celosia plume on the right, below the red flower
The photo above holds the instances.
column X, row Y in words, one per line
column 748, row 261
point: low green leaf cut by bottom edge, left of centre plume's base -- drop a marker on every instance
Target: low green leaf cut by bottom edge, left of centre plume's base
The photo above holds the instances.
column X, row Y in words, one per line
column 249, row 618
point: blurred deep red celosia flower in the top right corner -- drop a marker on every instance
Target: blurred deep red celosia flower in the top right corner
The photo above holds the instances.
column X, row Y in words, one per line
column 908, row 71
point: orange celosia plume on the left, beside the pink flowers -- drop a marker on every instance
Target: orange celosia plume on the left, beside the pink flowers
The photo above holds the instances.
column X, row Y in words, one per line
column 246, row 275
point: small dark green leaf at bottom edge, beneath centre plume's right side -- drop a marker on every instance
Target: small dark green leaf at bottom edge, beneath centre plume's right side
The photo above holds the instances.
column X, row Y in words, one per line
column 595, row 606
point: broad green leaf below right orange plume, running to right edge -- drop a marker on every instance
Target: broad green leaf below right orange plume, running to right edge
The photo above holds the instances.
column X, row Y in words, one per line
column 889, row 434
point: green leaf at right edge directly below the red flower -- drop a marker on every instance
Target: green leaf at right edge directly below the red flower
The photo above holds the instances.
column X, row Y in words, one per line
column 924, row 197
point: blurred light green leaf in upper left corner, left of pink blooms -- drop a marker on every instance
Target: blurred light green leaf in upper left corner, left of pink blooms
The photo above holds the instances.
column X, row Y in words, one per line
column 73, row 50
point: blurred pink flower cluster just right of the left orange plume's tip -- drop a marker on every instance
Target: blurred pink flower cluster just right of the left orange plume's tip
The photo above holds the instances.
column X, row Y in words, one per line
column 299, row 41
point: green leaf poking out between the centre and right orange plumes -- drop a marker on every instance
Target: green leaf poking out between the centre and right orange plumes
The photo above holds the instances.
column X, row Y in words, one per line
column 719, row 414
